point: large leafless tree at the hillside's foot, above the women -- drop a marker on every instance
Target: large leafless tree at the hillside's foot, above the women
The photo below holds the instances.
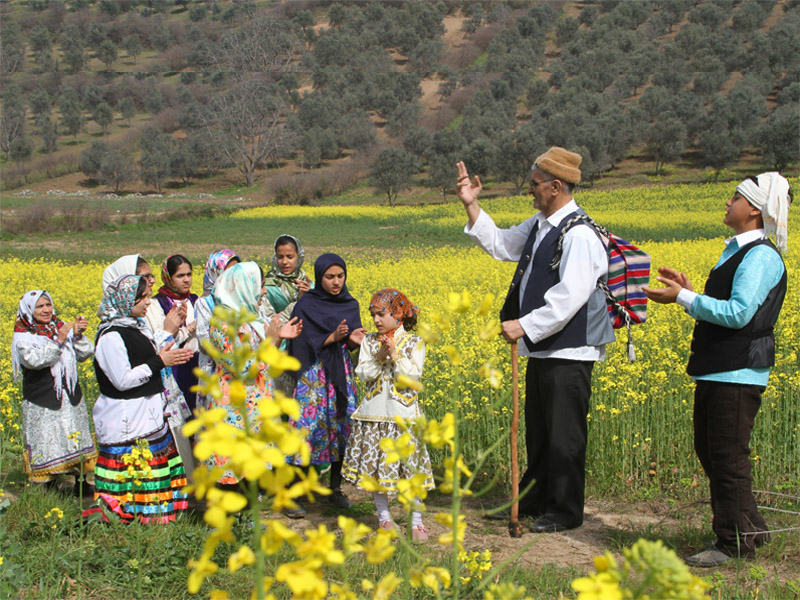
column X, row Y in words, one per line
column 247, row 124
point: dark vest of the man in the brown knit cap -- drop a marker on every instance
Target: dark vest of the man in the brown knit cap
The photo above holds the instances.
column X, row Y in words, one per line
column 590, row 326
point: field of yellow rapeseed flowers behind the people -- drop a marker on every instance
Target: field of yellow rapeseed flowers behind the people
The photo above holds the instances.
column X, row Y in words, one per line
column 640, row 416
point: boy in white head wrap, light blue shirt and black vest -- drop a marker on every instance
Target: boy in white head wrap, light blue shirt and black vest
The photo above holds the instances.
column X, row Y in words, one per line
column 733, row 348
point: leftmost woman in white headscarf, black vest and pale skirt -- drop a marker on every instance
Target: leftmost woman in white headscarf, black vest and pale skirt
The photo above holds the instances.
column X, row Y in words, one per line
column 45, row 351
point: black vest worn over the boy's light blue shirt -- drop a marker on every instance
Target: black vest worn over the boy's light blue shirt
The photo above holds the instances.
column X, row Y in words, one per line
column 716, row 349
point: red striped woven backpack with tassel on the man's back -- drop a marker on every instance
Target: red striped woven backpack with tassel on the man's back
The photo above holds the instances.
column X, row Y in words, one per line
column 628, row 273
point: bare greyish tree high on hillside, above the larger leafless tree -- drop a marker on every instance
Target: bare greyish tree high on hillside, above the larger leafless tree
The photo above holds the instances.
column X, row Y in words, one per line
column 262, row 45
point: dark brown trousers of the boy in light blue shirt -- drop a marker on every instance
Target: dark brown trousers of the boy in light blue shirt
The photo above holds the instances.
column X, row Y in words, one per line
column 724, row 415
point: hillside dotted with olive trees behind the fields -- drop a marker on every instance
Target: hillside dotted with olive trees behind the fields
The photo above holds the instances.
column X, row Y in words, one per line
column 296, row 101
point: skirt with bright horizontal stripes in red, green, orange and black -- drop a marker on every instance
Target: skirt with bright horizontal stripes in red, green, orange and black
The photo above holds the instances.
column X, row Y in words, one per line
column 147, row 488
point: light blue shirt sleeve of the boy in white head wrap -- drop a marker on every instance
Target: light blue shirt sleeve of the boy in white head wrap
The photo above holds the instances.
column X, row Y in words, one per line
column 759, row 272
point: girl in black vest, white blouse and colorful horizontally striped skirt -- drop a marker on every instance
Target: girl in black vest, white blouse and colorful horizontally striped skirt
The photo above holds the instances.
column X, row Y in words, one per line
column 130, row 409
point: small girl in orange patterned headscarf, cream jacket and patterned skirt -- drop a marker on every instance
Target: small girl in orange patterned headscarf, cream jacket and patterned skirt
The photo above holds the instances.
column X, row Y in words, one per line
column 392, row 352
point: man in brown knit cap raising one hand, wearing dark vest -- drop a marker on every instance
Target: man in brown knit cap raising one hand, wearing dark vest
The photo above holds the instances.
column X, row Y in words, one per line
column 561, row 317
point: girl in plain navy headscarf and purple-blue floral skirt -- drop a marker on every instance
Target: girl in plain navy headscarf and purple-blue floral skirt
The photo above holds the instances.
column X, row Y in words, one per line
column 326, row 388
